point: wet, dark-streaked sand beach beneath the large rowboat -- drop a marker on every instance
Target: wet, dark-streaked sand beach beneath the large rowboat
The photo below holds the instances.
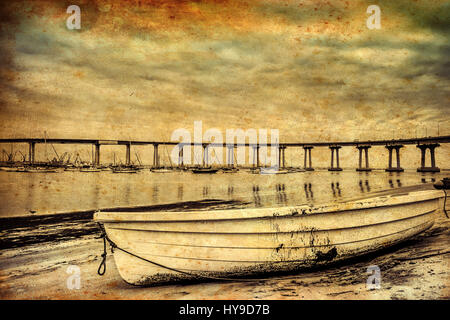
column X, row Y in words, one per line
column 35, row 257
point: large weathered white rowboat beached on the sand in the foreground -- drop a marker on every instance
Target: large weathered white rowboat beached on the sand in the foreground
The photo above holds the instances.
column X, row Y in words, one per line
column 249, row 242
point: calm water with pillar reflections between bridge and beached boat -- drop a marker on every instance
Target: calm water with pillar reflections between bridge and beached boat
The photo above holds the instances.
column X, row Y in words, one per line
column 43, row 193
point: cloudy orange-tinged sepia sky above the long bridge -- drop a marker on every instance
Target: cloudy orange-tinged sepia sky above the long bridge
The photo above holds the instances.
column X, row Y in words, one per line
column 141, row 69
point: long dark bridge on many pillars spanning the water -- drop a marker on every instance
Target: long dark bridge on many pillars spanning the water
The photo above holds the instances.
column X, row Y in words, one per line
column 423, row 143
